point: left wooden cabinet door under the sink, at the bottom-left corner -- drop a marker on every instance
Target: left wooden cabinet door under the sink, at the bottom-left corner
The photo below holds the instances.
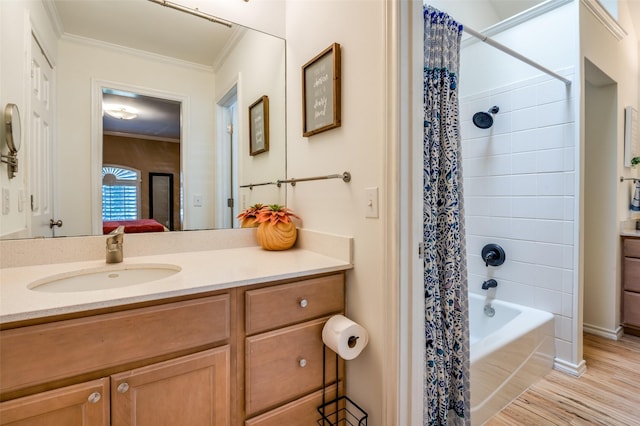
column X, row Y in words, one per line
column 82, row 404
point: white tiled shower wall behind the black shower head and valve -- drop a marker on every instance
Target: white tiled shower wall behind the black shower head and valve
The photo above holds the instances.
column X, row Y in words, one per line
column 520, row 193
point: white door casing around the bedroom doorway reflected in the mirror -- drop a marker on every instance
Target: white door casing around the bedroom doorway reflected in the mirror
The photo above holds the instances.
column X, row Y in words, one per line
column 97, row 85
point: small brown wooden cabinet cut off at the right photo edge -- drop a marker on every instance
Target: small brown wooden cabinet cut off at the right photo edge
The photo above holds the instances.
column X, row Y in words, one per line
column 631, row 284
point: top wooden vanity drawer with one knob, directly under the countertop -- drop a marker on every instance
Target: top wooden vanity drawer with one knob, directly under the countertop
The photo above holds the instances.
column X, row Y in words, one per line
column 282, row 305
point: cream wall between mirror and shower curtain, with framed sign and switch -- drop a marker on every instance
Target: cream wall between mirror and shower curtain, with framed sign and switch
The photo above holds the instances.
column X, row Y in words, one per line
column 358, row 146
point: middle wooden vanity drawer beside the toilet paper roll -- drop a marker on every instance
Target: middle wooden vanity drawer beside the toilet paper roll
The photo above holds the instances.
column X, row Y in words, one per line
column 285, row 364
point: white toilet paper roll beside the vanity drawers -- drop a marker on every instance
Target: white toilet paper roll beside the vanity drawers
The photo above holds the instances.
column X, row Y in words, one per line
column 344, row 337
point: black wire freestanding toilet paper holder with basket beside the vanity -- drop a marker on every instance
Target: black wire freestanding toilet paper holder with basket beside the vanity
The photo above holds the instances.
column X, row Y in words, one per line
column 341, row 410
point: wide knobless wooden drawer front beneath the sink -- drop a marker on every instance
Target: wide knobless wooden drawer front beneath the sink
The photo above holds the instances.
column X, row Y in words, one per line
column 44, row 353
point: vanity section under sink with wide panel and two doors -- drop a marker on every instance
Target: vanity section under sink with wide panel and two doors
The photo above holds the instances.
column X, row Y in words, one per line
column 156, row 365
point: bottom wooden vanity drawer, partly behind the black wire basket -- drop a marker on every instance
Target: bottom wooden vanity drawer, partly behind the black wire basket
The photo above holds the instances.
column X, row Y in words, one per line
column 303, row 411
